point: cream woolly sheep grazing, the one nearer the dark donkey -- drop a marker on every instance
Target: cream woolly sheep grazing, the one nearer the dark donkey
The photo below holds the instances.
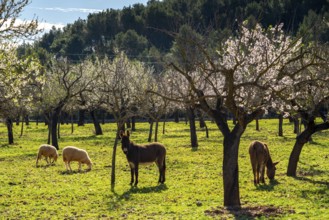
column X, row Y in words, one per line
column 71, row 153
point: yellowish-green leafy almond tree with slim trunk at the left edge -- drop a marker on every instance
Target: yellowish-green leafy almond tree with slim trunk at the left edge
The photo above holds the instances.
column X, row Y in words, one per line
column 17, row 77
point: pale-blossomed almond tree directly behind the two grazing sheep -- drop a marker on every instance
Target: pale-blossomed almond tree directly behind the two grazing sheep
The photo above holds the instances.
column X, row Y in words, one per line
column 62, row 83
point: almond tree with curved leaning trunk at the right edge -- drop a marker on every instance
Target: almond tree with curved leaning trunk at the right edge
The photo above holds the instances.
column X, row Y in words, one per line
column 308, row 98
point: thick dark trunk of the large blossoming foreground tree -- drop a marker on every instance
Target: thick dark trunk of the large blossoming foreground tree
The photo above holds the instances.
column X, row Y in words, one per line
column 231, row 168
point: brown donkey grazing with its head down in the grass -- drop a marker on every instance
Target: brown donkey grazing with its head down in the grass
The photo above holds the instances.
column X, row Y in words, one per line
column 260, row 157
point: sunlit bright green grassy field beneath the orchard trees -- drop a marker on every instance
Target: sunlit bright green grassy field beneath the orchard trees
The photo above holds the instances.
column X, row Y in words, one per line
column 193, row 189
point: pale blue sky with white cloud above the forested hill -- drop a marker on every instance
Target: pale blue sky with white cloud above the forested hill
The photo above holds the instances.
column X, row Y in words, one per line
column 59, row 13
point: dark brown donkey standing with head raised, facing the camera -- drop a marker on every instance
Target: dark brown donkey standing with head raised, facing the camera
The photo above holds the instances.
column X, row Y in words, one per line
column 143, row 154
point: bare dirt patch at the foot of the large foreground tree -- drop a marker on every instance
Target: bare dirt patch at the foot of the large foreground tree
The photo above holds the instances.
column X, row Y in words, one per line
column 247, row 212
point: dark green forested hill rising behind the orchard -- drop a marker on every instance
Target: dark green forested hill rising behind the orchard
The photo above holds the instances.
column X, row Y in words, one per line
column 143, row 30
